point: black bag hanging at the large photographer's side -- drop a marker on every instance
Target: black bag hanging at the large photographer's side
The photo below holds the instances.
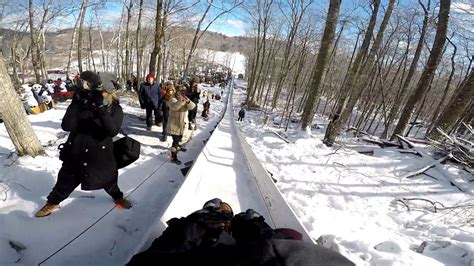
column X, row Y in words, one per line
column 126, row 151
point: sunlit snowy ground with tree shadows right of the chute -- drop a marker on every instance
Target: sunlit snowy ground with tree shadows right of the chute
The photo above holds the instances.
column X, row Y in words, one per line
column 350, row 199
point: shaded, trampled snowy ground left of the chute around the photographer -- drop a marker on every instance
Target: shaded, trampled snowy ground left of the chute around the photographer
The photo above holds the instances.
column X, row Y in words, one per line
column 87, row 222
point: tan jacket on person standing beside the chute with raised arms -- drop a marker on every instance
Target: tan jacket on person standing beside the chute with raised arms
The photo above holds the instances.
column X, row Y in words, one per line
column 177, row 114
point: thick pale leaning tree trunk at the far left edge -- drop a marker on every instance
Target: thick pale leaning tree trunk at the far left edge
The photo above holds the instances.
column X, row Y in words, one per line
column 16, row 122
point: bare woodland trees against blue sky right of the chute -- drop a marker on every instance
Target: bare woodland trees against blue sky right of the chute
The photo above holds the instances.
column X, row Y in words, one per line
column 379, row 67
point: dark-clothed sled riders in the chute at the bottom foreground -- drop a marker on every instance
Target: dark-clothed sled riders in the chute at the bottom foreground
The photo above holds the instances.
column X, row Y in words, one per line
column 213, row 236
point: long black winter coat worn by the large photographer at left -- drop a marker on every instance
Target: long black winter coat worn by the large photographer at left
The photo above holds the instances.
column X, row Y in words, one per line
column 90, row 151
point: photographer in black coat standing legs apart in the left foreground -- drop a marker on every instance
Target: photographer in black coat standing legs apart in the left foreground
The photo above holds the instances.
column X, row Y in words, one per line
column 93, row 118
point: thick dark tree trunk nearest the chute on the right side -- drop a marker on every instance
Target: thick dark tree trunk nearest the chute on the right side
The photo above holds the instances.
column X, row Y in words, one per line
column 321, row 64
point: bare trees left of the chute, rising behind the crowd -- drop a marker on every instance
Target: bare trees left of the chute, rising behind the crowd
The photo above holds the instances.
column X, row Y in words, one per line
column 148, row 38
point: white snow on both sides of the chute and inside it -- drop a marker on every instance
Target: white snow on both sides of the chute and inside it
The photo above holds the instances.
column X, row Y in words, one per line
column 347, row 201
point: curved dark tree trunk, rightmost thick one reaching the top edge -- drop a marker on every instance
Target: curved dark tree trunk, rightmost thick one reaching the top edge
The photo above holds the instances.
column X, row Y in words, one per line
column 431, row 65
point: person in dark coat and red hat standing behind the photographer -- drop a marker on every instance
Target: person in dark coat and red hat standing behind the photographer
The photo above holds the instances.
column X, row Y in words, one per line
column 150, row 99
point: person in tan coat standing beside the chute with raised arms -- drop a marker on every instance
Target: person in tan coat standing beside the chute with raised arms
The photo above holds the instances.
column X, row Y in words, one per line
column 179, row 104
